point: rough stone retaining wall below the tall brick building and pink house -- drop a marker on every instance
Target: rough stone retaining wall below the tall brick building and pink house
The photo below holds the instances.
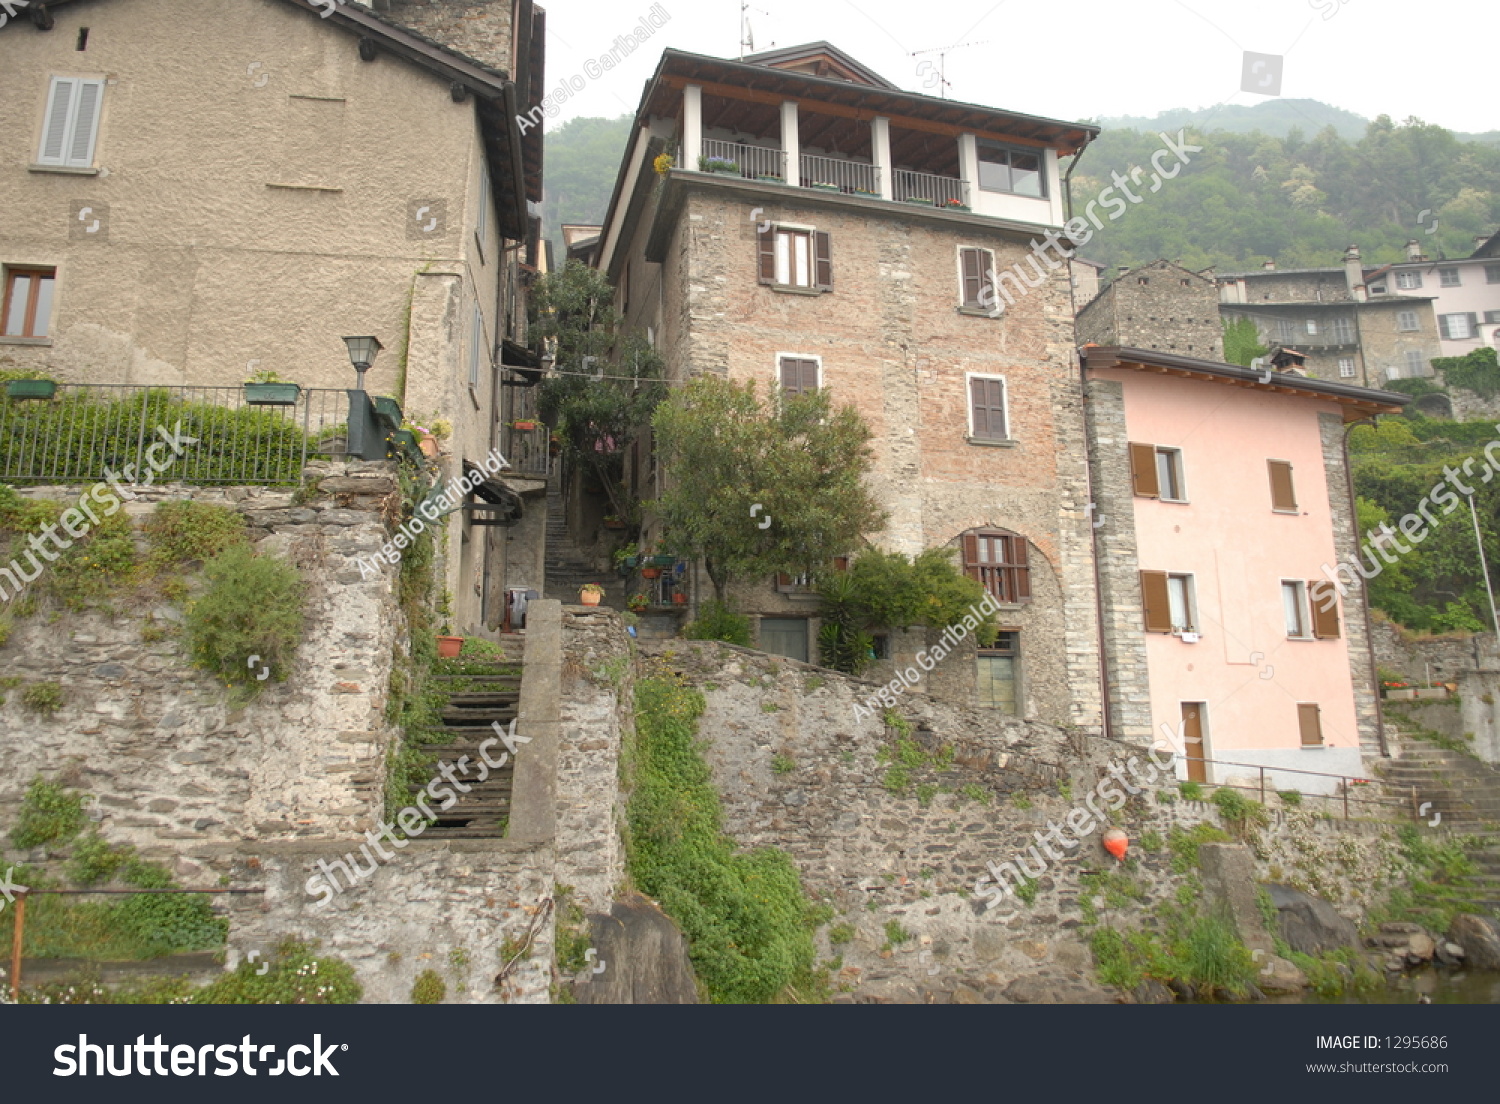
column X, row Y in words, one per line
column 797, row 770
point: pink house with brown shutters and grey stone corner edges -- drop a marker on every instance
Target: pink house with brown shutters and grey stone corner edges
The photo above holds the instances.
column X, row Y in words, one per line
column 1222, row 496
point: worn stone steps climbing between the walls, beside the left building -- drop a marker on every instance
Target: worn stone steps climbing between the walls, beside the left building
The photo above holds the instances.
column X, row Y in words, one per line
column 488, row 692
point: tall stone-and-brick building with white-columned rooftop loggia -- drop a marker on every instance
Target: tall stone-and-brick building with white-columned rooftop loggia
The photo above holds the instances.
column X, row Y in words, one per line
column 857, row 238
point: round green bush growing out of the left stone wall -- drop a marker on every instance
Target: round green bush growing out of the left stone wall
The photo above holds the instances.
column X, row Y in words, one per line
column 253, row 607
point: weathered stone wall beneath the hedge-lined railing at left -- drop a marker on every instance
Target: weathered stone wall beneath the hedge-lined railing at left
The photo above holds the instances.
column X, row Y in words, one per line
column 154, row 740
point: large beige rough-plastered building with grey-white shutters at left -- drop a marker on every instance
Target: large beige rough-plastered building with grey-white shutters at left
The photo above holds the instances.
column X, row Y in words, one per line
column 340, row 172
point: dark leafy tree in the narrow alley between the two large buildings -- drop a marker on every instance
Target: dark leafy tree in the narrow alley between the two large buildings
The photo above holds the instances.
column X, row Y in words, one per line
column 607, row 385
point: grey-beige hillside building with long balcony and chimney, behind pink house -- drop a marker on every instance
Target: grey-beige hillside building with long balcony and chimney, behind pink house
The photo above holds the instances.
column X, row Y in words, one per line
column 1343, row 320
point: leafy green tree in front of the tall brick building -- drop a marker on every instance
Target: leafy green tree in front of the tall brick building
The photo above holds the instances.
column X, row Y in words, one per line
column 757, row 488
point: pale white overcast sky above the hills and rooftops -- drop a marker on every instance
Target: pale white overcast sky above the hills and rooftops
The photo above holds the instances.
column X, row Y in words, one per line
column 1081, row 59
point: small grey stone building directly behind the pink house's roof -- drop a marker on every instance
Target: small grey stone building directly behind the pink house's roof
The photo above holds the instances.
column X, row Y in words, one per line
column 1156, row 307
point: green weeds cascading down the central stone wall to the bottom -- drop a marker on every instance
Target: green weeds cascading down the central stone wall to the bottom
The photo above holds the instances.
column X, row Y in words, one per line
column 746, row 917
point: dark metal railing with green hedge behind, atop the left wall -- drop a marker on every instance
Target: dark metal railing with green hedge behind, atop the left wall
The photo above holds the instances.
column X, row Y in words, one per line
column 176, row 434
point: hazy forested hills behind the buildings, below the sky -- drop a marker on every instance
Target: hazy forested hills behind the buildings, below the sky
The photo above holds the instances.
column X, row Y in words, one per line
column 1247, row 197
